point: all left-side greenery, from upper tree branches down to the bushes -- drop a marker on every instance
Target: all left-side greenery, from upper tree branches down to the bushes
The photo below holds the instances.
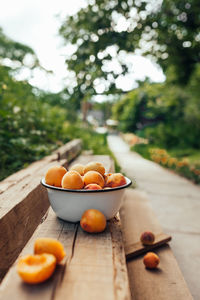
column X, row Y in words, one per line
column 31, row 126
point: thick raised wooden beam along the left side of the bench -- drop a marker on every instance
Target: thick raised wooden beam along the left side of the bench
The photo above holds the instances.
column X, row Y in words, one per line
column 23, row 202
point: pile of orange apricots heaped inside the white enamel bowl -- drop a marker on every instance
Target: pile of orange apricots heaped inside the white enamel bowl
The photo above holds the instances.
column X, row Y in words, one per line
column 89, row 177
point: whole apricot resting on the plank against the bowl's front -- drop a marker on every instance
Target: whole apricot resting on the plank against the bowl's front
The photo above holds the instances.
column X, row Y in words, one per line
column 93, row 221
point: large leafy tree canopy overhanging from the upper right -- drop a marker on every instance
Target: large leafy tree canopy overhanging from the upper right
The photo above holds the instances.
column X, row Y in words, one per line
column 105, row 31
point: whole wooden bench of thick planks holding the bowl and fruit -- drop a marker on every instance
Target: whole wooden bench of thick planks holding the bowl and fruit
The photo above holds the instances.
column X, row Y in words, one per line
column 95, row 267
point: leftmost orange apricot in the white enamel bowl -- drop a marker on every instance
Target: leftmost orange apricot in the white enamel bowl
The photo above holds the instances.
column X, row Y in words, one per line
column 54, row 175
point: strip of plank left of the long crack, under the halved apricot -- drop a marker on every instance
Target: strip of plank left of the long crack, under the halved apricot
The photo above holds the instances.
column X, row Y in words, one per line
column 12, row 286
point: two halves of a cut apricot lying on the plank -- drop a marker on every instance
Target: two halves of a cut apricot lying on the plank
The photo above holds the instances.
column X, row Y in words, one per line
column 38, row 267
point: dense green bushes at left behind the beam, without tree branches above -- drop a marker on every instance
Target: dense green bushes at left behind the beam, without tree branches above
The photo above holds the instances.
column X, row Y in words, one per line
column 29, row 127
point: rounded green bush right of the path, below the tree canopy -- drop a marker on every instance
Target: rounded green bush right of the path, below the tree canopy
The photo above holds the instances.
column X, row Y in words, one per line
column 164, row 113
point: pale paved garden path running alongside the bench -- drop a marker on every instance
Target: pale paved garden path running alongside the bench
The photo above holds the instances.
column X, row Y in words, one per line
column 176, row 202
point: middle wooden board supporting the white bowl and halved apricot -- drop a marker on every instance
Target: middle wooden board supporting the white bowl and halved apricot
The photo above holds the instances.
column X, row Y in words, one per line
column 95, row 266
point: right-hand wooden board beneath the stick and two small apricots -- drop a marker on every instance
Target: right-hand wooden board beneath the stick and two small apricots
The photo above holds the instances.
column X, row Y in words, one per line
column 165, row 283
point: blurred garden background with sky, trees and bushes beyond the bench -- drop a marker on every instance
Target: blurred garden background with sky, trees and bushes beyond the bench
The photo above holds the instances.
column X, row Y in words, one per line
column 91, row 68
